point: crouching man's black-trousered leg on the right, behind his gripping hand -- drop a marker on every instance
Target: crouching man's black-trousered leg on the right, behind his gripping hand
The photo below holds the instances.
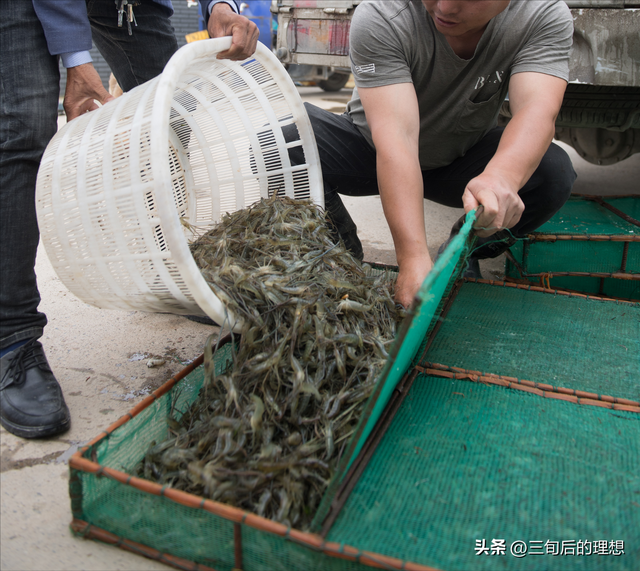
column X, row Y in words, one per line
column 543, row 195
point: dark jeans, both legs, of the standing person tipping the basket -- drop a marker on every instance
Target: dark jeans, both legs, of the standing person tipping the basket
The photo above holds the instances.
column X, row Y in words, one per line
column 29, row 80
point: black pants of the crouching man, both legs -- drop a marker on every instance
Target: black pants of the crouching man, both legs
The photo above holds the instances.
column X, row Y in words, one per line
column 349, row 167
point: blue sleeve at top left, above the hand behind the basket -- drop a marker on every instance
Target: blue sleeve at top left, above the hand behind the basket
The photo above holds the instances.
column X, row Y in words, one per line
column 65, row 23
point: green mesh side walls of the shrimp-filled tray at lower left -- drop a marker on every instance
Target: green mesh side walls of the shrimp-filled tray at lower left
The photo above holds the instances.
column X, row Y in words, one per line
column 157, row 522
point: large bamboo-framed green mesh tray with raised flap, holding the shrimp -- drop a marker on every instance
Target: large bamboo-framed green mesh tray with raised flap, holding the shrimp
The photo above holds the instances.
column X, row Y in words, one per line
column 520, row 456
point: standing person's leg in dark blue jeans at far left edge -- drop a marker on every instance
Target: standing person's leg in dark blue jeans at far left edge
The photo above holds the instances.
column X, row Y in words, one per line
column 29, row 79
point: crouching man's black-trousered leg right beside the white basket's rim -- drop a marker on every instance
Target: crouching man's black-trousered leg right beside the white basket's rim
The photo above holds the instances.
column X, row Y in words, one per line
column 348, row 167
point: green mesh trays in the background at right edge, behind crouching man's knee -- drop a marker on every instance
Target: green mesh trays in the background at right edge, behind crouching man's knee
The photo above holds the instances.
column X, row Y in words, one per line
column 591, row 245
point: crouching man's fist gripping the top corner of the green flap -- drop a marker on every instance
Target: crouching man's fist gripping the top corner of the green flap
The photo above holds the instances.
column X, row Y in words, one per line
column 502, row 205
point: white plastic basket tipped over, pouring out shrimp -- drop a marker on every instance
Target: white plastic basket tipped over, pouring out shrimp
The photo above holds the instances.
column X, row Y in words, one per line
column 204, row 138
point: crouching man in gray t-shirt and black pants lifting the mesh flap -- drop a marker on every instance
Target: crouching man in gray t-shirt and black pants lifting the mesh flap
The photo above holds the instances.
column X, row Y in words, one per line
column 431, row 76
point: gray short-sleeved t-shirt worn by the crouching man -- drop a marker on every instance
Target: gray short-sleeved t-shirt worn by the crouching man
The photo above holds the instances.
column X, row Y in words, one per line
column 396, row 41
